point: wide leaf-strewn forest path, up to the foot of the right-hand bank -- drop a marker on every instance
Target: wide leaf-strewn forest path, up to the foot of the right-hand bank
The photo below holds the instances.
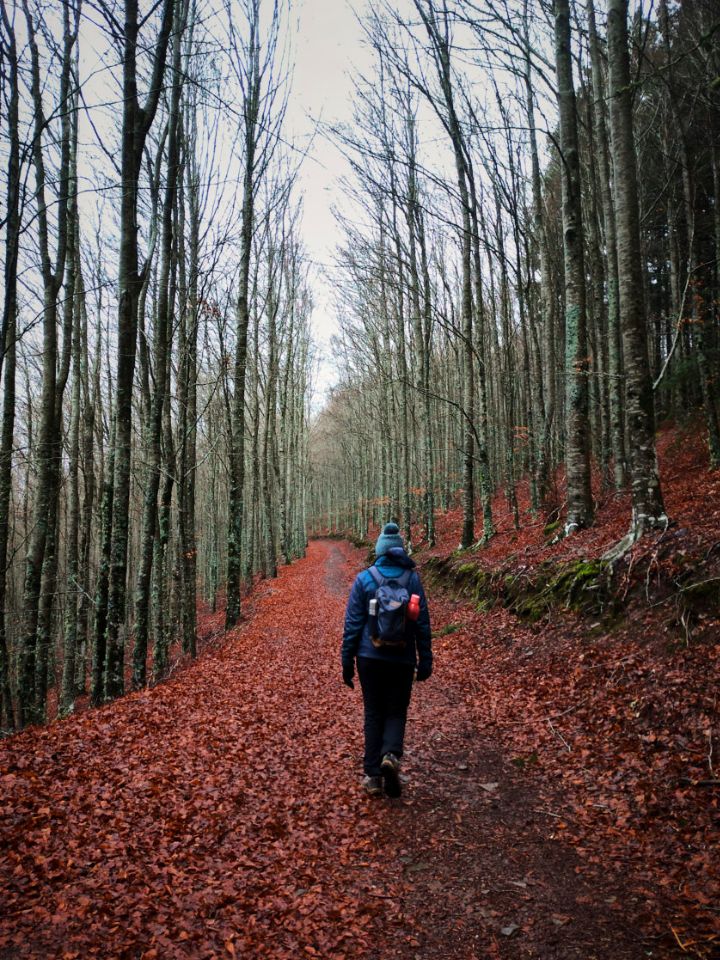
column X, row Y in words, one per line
column 220, row 815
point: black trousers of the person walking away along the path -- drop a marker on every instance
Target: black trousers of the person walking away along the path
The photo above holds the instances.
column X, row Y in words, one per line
column 386, row 690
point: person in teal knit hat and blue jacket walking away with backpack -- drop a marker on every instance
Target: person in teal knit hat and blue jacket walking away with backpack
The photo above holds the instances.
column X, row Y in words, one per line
column 387, row 628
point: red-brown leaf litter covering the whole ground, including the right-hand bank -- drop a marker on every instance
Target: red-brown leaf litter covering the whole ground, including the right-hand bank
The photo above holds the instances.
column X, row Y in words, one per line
column 561, row 796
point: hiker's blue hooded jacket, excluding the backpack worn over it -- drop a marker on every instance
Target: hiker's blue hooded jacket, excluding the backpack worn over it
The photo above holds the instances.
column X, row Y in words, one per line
column 356, row 635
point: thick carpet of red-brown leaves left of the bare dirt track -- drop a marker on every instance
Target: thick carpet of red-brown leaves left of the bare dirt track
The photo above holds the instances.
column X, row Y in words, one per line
column 215, row 815
